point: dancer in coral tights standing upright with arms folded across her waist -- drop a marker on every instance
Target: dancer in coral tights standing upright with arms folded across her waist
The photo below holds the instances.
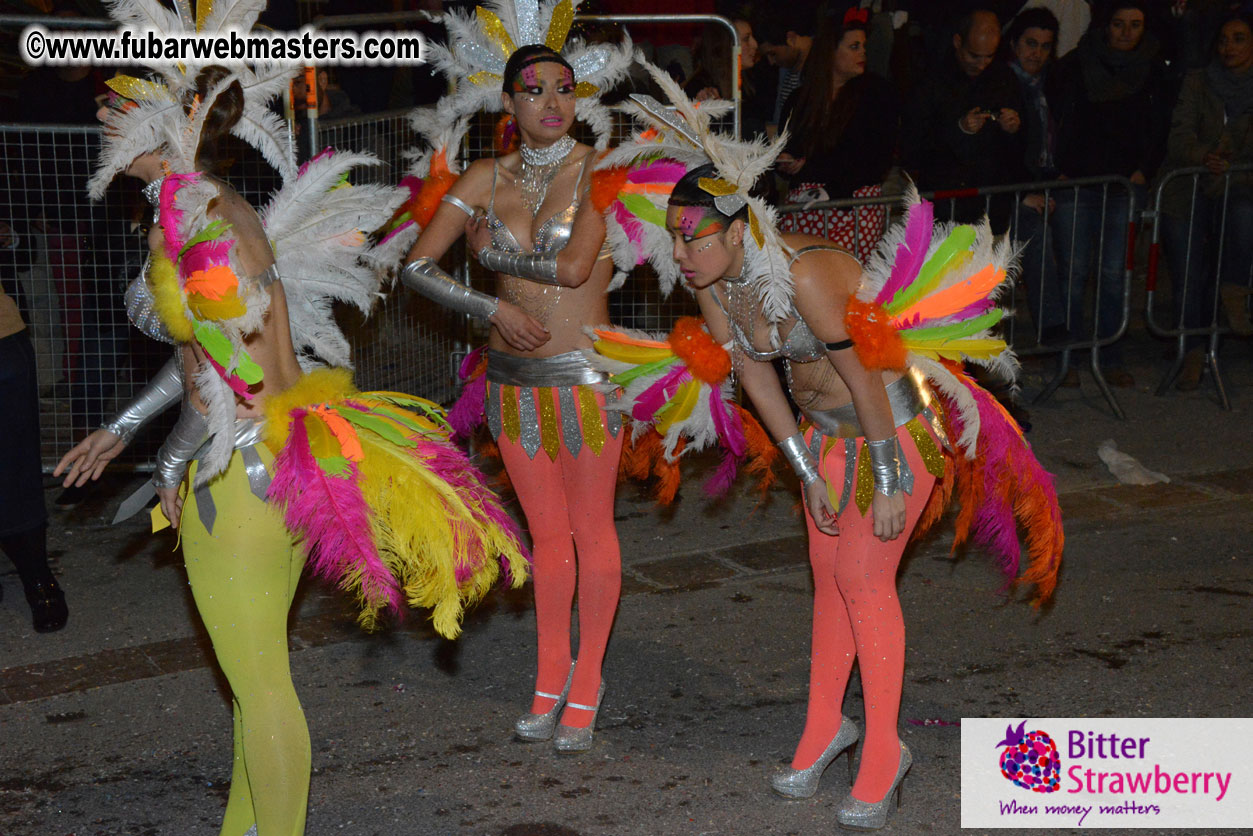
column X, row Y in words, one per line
column 533, row 384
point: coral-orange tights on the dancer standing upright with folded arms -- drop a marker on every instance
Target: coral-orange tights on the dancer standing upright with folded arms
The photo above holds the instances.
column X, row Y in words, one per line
column 569, row 508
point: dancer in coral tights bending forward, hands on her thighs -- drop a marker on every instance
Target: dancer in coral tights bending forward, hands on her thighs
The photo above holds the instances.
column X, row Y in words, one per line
column 870, row 360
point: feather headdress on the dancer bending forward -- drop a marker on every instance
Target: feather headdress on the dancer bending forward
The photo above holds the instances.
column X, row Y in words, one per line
column 682, row 133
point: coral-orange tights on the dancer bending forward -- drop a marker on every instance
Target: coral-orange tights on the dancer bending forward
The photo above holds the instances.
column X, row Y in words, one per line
column 856, row 615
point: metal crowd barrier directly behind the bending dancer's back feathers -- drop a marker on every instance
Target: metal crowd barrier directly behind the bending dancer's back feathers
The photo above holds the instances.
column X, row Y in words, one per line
column 1058, row 241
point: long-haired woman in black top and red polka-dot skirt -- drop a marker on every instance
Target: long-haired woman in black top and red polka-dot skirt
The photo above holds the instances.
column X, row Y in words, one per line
column 844, row 125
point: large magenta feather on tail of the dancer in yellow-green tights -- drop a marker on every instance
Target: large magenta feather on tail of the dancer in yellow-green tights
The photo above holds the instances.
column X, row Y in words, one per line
column 331, row 517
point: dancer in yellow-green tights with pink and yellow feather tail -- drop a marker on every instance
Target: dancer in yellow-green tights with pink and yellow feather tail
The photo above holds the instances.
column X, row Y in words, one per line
column 278, row 458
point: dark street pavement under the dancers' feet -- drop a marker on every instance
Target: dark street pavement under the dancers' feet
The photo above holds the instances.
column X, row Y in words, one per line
column 118, row 725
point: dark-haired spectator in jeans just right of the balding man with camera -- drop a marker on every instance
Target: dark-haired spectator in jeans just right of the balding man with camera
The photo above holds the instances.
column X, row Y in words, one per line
column 1032, row 38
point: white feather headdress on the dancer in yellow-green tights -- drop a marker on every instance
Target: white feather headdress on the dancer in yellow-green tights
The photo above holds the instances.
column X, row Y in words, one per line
column 161, row 113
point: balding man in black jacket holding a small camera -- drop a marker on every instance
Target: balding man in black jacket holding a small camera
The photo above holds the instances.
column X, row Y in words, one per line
column 963, row 126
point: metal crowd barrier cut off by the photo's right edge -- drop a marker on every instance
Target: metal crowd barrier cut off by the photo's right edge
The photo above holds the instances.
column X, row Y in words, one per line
column 1209, row 249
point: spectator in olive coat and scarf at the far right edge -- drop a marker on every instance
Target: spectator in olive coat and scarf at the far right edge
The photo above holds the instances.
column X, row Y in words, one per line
column 1212, row 127
